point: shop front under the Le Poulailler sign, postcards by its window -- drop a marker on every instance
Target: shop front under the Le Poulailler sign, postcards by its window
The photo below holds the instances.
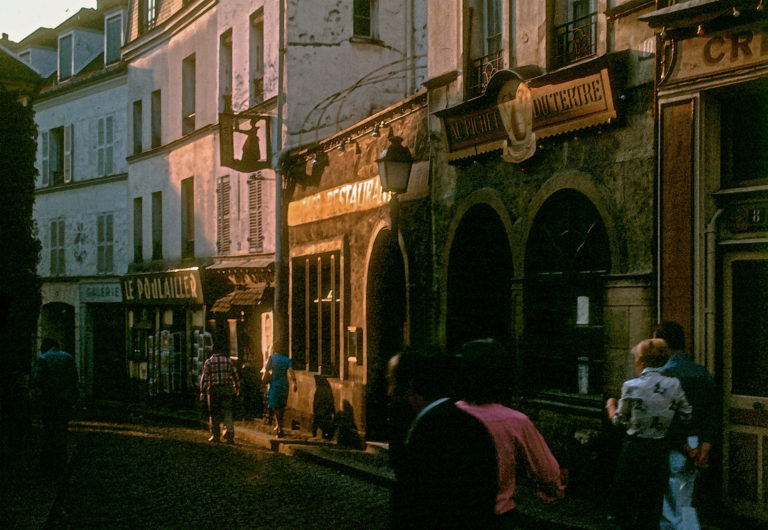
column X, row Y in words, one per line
column 167, row 341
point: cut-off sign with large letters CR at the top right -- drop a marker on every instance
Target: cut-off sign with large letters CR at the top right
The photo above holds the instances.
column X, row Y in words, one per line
column 720, row 52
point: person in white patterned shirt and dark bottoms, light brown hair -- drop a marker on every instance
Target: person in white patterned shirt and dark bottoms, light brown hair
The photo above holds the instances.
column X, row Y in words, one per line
column 648, row 407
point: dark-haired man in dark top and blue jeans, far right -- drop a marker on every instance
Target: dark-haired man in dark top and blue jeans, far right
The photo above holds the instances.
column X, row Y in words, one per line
column 687, row 454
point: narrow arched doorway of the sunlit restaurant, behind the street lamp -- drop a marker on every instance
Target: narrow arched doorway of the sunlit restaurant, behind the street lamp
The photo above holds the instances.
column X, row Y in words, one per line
column 386, row 317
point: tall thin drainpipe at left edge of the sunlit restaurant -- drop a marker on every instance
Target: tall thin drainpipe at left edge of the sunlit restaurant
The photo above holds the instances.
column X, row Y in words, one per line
column 280, row 335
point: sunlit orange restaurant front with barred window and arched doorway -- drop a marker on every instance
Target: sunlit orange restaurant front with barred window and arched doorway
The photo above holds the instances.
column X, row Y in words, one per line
column 349, row 284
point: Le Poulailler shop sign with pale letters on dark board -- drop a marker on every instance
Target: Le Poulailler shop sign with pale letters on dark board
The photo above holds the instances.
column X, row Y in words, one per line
column 163, row 288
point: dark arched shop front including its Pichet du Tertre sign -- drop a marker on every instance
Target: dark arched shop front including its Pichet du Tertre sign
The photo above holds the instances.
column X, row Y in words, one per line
column 546, row 241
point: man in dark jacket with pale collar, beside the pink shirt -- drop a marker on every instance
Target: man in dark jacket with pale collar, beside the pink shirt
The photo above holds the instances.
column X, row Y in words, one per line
column 446, row 473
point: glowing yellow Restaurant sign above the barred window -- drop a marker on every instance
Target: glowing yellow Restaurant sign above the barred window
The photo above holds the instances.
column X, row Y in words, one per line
column 349, row 198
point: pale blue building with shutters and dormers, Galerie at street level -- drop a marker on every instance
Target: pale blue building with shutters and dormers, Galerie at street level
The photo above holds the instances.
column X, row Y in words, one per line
column 80, row 205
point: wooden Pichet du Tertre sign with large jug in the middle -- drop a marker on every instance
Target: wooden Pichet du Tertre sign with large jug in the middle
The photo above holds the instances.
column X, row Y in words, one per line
column 513, row 113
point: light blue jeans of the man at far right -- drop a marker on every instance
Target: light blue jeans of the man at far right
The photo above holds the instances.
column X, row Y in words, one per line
column 678, row 513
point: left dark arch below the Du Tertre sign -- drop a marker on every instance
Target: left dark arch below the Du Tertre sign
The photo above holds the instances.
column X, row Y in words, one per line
column 479, row 276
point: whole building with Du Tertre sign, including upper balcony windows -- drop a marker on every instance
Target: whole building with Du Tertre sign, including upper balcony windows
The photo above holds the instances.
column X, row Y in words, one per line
column 542, row 191
